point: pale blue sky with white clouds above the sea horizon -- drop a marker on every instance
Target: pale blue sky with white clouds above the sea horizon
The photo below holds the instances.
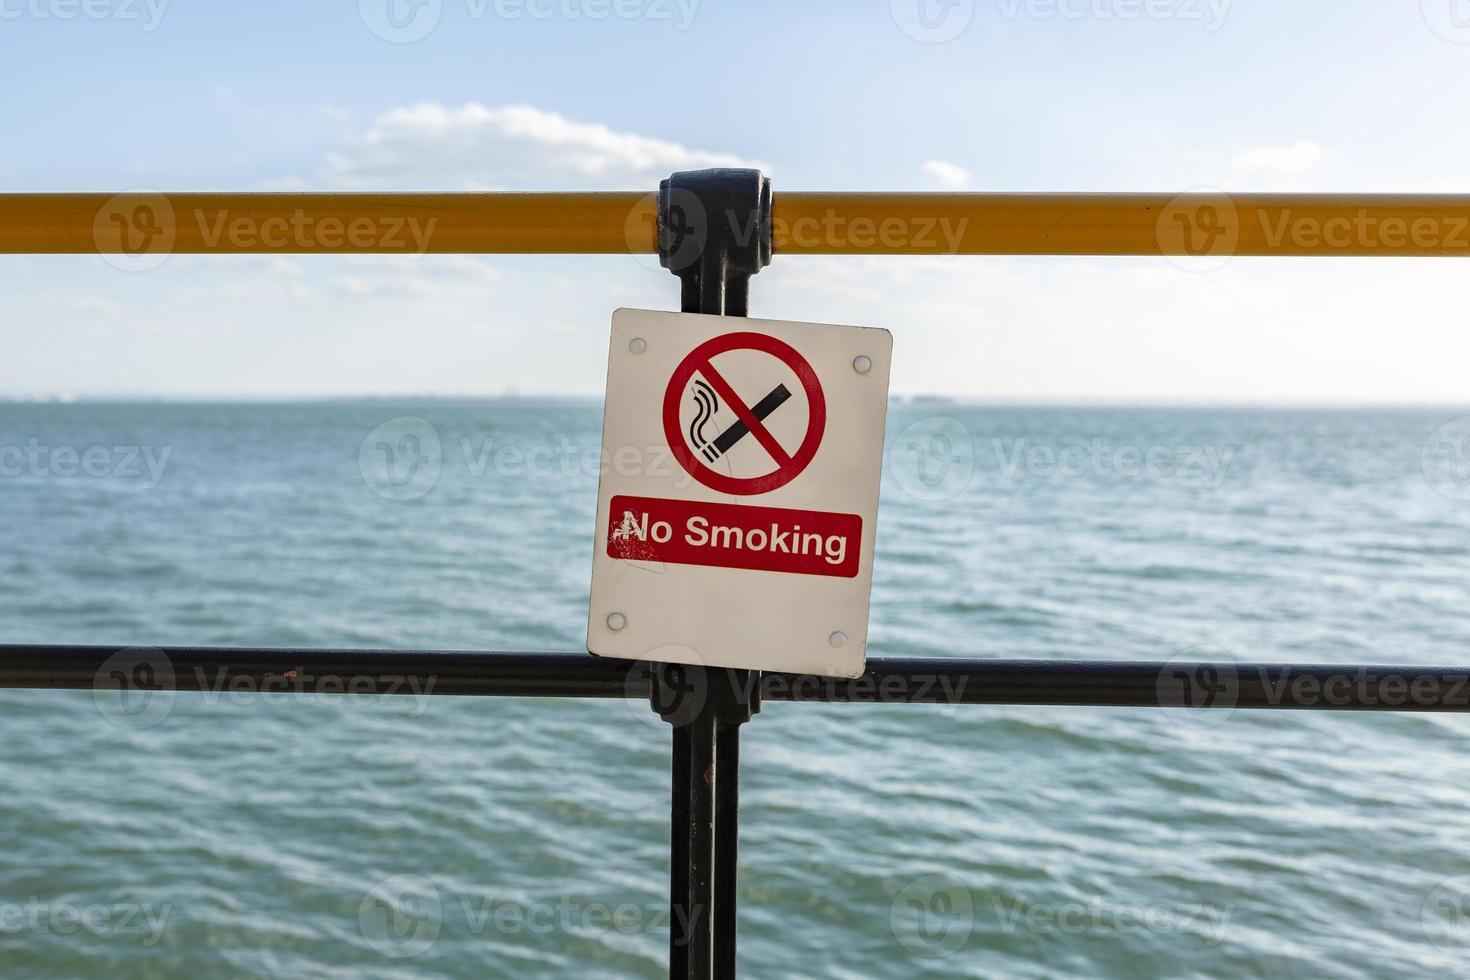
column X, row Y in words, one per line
column 614, row 95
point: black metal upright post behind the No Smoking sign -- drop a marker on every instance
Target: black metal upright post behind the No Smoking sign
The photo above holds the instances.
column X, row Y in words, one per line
column 715, row 233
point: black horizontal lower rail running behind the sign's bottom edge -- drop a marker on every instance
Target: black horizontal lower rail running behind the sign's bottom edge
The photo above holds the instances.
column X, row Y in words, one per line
column 1100, row 684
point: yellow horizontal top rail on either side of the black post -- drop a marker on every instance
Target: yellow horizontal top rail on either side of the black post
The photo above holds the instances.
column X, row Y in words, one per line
column 1211, row 224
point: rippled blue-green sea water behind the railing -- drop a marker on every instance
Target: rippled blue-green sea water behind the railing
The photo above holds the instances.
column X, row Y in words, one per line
column 239, row 834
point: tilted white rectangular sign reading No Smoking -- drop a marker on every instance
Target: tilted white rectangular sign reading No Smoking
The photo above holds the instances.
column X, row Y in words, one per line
column 739, row 503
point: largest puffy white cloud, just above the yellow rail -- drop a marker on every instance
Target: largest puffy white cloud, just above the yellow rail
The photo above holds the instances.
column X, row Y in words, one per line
column 512, row 146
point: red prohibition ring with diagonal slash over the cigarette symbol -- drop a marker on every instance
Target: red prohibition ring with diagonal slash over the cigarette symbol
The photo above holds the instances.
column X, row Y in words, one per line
column 789, row 468
